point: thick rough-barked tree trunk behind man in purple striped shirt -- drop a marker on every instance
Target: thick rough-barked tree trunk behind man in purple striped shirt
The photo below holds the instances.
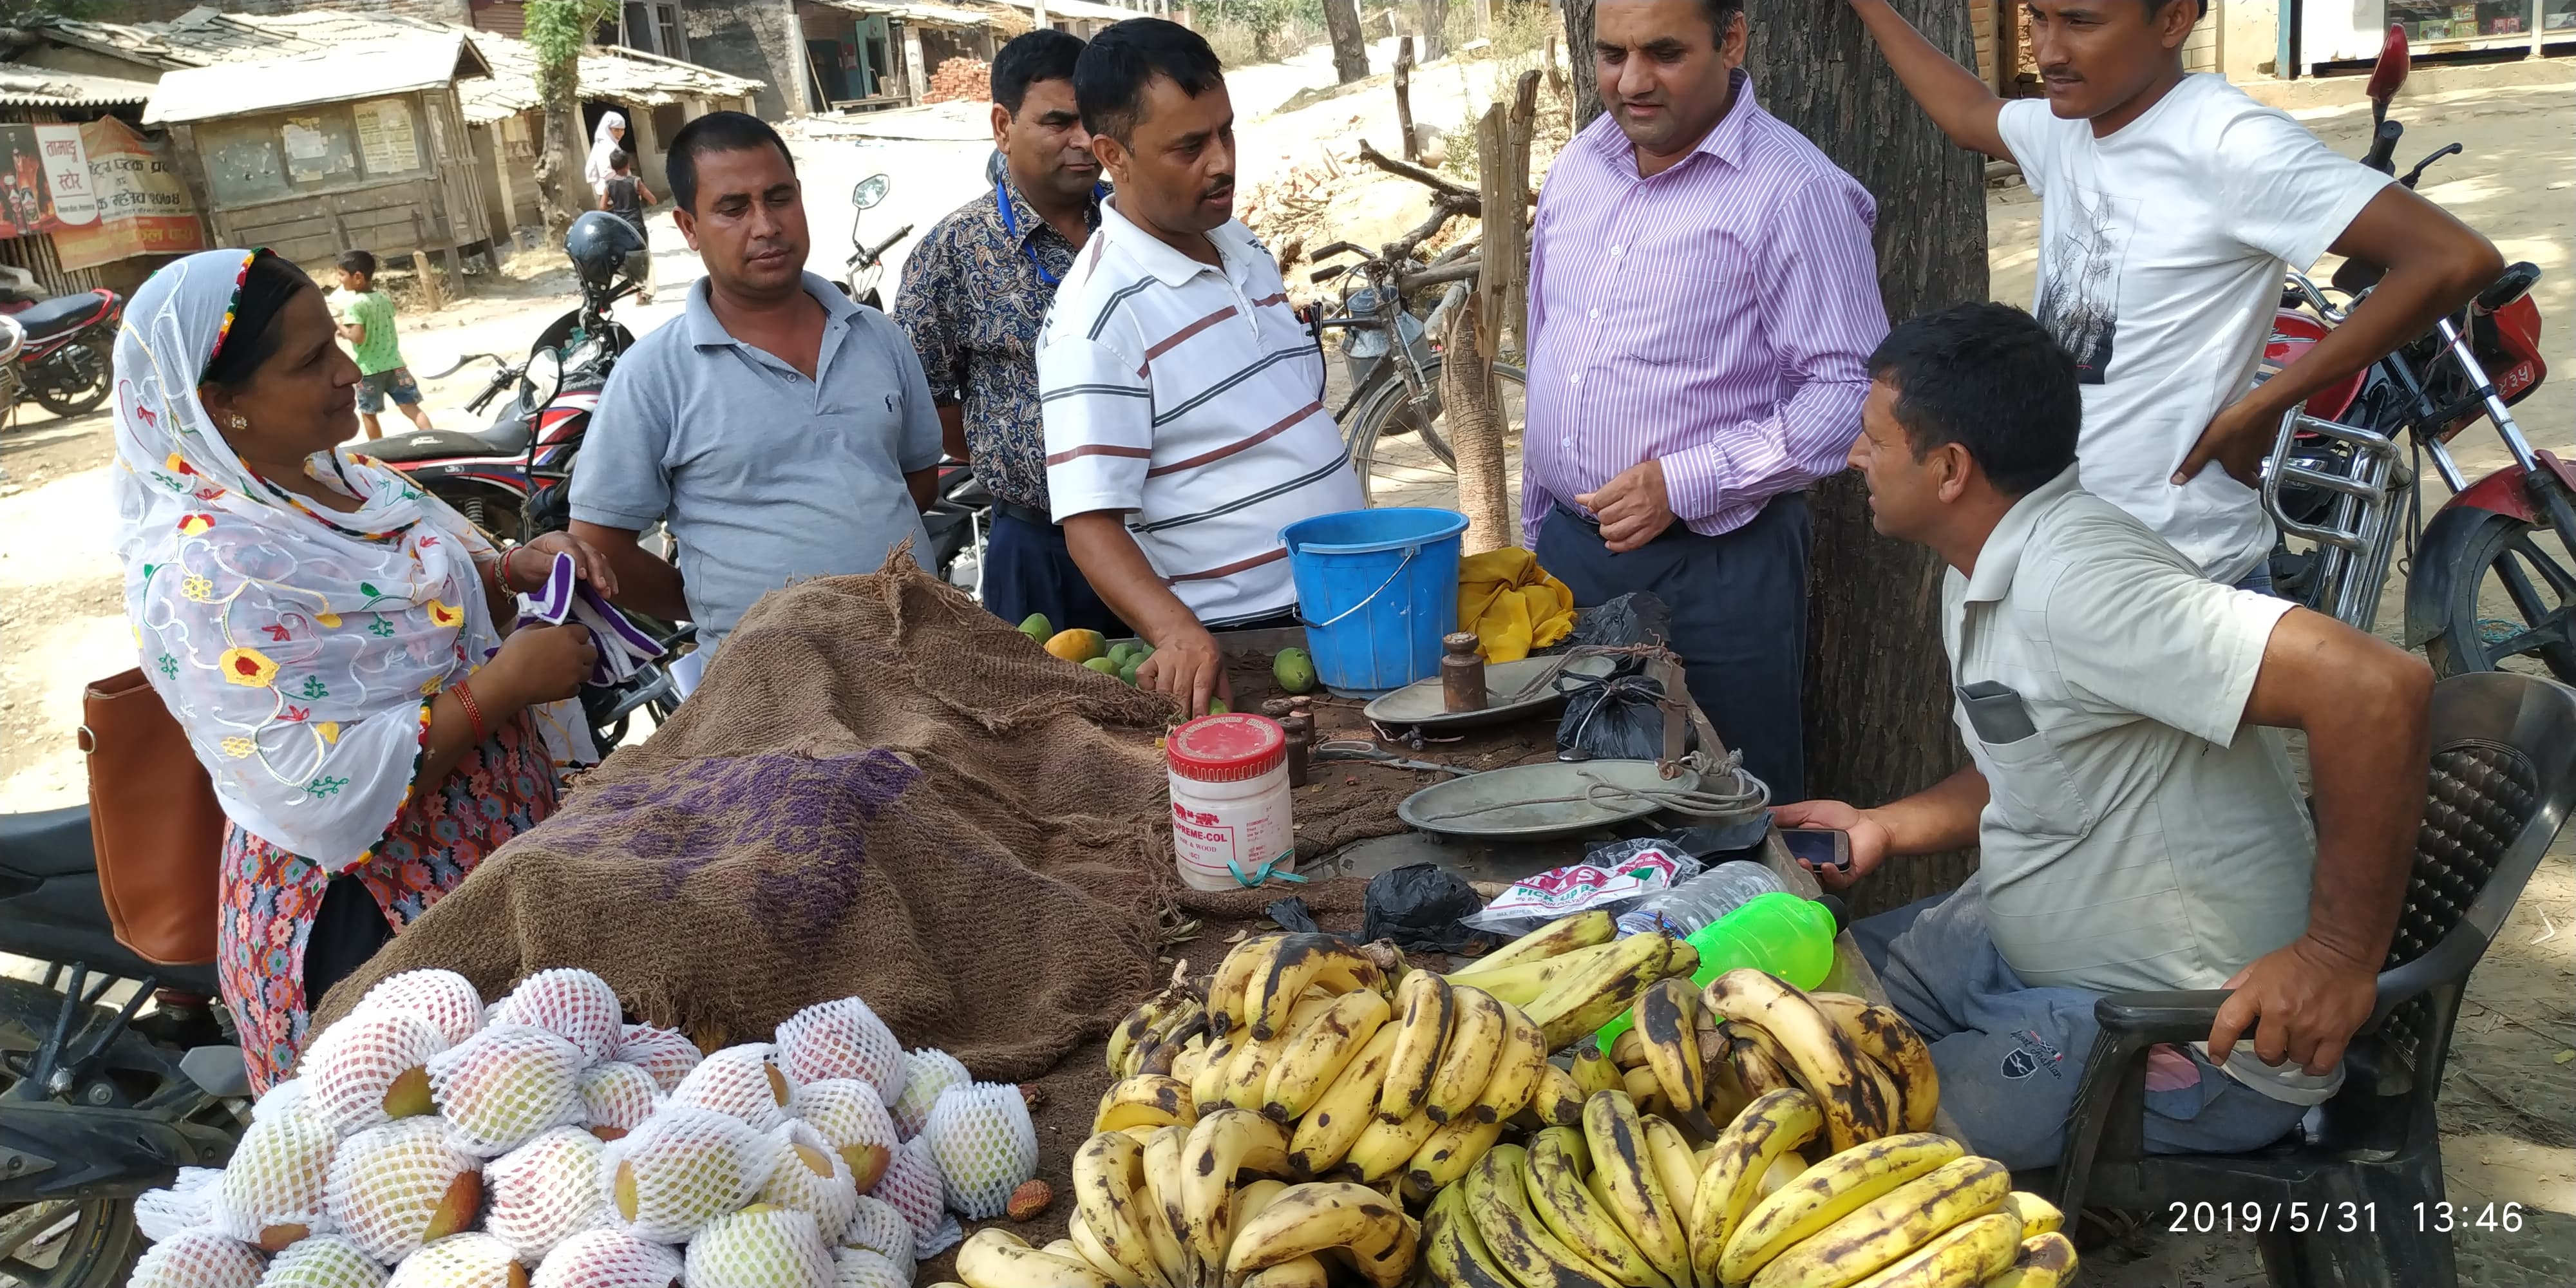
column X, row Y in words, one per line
column 1877, row 681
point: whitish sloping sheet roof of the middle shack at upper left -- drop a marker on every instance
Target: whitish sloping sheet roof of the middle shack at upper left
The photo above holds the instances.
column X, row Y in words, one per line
column 321, row 76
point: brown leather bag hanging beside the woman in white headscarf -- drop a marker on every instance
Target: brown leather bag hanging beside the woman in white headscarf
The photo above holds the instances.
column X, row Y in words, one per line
column 153, row 823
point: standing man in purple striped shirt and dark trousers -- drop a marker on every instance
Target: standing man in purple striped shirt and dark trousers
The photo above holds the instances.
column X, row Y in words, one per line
column 1704, row 303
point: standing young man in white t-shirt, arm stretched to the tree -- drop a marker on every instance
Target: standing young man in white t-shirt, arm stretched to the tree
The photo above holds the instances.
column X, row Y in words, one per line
column 2168, row 210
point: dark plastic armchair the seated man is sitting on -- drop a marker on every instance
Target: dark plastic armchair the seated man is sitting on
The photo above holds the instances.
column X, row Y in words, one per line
column 2503, row 787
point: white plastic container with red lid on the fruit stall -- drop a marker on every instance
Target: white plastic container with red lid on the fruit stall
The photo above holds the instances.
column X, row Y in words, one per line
column 1230, row 802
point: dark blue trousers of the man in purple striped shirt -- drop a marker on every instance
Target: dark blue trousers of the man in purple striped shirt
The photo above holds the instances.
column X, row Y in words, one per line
column 1738, row 620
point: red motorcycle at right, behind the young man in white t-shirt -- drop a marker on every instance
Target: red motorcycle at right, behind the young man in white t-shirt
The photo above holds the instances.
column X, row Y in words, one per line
column 2345, row 473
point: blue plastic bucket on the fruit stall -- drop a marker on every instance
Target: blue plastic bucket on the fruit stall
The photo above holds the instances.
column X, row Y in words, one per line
column 1377, row 591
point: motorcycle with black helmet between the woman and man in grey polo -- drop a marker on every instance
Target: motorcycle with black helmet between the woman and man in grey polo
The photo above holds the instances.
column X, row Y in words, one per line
column 514, row 478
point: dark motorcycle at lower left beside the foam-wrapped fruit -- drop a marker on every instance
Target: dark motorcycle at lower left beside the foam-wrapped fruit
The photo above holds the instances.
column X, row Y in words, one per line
column 99, row 1101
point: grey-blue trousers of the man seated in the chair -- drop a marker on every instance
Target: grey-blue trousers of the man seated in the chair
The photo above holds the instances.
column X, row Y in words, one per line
column 2011, row 1057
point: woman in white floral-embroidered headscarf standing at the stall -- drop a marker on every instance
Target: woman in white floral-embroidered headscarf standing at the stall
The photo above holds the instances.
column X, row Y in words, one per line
column 323, row 632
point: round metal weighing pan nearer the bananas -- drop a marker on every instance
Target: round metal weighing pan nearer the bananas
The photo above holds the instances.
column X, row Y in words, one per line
column 1537, row 802
